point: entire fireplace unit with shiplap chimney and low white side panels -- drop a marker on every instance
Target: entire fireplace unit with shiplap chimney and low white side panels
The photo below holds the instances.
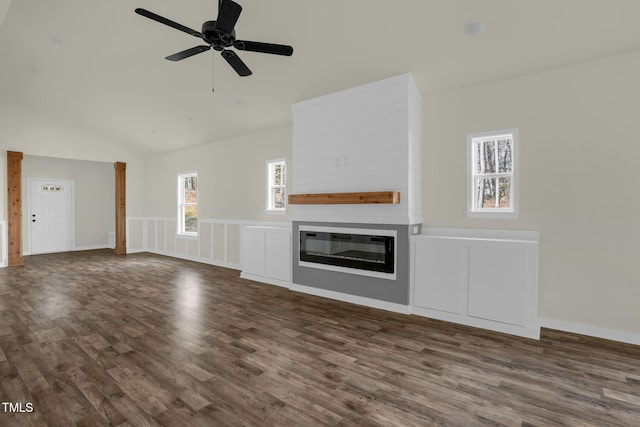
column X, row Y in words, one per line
column 368, row 139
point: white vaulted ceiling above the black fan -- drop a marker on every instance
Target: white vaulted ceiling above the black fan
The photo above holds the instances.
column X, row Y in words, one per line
column 98, row 65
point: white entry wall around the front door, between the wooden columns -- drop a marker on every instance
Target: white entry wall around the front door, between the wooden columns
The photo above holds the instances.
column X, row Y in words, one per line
column 94, row 188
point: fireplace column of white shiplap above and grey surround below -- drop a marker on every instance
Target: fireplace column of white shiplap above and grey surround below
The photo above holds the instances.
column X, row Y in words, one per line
column 363, row 139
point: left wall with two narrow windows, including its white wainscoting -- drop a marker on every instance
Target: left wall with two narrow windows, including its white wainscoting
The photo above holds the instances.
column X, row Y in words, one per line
column 232, row 181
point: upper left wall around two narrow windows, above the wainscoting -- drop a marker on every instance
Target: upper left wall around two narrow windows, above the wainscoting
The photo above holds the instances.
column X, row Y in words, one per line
column 231, row 177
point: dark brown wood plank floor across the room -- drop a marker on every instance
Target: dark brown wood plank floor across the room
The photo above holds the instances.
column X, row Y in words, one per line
column 92, row 339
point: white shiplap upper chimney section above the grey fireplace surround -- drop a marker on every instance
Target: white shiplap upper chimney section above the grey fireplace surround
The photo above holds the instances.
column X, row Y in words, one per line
column 367, row 138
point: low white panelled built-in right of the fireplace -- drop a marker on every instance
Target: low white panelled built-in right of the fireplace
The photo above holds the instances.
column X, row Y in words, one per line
column 482, row 278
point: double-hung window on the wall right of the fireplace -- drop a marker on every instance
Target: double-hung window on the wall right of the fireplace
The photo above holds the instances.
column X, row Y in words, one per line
column 492, row 168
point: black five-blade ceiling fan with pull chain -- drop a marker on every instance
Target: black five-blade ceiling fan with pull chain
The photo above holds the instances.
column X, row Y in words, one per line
column 220, row 35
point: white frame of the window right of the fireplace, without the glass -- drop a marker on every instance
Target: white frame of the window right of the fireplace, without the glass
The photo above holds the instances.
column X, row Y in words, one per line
column 474, row 211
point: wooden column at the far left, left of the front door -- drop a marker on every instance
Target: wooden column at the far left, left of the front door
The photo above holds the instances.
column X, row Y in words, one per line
column 14, row 207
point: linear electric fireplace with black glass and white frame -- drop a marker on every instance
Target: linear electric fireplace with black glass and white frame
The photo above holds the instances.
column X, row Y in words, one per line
column 361, row 251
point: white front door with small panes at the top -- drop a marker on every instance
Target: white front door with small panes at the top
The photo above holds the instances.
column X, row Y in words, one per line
column 50, row 215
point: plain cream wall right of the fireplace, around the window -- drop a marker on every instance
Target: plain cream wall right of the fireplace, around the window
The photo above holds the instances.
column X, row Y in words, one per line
column 579, row 152
